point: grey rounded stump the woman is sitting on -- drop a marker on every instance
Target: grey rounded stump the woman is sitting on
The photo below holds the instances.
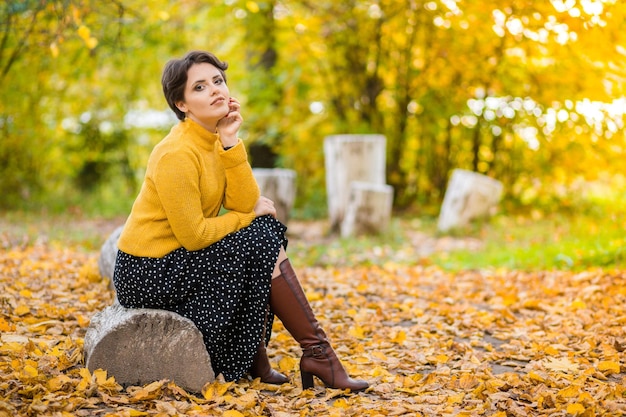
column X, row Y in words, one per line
column 140, row 346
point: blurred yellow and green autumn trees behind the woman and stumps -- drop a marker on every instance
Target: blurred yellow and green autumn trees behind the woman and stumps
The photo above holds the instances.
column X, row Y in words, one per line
column 531, row 93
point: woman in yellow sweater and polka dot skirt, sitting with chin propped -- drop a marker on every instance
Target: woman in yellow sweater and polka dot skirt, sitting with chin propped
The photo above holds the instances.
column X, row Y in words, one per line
column 201, row 241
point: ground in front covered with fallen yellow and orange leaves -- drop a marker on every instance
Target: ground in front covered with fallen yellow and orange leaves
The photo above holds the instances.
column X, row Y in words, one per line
column 431, row 343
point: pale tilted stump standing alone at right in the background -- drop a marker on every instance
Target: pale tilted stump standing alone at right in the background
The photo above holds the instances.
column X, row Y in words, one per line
column 469, row 195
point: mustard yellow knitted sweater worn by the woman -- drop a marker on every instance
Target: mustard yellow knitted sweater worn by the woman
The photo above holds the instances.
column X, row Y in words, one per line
column 188, row 179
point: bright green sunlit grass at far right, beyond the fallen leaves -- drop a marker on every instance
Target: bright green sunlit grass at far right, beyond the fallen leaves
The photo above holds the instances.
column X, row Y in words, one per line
column 557, row 241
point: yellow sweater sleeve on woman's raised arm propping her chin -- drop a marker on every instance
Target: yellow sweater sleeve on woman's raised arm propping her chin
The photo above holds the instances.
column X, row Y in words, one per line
column 242, row 190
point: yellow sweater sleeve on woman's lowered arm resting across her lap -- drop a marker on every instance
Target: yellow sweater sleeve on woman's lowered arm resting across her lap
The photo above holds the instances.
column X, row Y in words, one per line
column 176, row 181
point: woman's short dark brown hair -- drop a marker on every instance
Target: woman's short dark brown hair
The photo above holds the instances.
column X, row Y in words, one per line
column 174, row 78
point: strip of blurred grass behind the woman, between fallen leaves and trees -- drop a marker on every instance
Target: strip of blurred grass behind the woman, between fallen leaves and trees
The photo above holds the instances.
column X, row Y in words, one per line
column 521, row 242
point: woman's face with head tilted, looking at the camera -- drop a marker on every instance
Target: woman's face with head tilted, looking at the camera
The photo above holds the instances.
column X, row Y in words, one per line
column 206, row 95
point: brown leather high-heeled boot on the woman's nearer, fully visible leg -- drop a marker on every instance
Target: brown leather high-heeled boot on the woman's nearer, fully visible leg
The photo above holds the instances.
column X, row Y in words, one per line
column 289, row 303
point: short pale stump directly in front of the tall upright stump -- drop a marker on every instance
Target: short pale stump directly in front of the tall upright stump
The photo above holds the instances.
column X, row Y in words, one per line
column 368, row 210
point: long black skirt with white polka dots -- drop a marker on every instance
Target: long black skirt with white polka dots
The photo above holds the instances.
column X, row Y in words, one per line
column 224, row 289
